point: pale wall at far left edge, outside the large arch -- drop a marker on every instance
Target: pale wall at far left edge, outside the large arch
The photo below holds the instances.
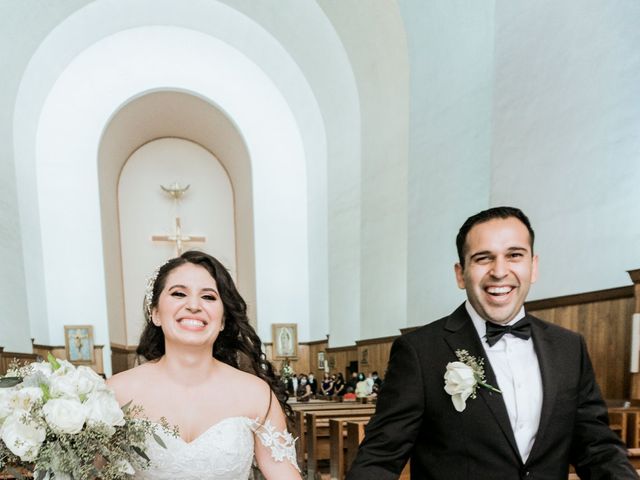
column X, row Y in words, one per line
column 21, row 34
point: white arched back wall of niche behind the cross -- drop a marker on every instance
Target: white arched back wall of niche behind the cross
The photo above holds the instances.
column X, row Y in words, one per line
column 207, row 209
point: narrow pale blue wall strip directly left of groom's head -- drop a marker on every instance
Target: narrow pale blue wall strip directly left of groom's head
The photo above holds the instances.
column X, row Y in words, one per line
column 451, row 54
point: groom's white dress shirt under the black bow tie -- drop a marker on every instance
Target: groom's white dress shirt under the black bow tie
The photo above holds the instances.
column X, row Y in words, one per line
column 515, row 363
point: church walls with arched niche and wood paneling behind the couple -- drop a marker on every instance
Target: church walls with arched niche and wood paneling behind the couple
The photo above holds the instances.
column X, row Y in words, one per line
column 326, row 152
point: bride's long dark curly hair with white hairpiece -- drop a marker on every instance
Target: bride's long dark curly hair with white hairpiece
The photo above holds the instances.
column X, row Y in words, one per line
column 237, row 344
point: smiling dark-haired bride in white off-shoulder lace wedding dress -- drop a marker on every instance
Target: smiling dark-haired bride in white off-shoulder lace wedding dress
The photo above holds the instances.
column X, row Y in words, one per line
column 197, row 339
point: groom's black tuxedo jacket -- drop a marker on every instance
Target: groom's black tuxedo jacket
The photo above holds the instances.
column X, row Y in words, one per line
column 415, row 417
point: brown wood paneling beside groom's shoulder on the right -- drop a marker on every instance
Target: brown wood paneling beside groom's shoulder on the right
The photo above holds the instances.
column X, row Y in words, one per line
column 606, row 327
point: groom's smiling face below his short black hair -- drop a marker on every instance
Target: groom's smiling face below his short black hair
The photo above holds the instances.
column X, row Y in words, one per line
column 499, row 268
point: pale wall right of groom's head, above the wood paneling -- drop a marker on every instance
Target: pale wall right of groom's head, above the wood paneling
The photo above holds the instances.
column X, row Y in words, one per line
column 566, row 142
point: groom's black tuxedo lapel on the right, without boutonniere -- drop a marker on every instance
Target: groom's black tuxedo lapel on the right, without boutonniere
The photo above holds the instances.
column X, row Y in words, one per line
column 547, row 354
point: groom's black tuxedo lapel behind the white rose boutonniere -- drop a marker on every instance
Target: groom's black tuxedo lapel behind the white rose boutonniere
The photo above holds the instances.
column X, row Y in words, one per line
column 463, row 336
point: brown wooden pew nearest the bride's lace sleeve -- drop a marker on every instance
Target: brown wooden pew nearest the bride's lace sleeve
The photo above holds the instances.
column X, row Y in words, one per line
column 317, row 433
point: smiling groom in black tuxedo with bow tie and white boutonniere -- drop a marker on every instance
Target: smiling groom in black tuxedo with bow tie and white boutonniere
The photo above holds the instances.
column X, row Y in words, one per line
column 548, row 413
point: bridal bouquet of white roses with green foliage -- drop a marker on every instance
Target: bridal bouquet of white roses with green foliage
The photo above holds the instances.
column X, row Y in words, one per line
column 62, row 422
